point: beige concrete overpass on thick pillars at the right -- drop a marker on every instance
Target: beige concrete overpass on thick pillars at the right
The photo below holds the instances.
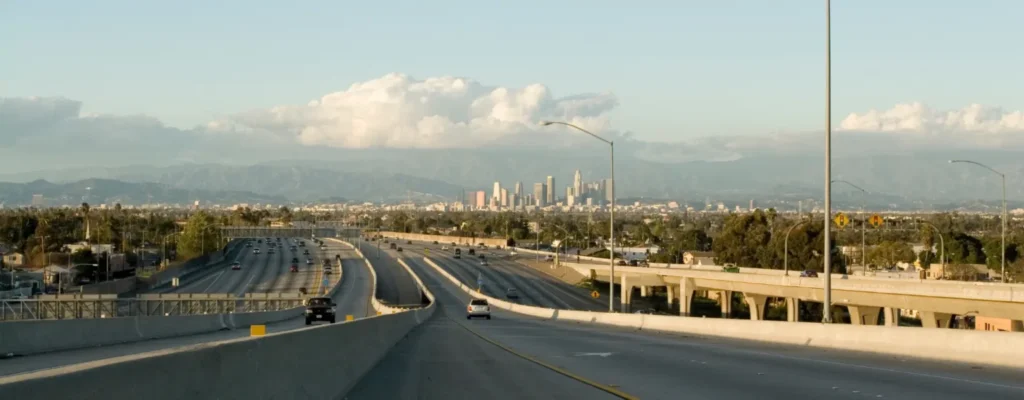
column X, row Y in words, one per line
column 866, row 298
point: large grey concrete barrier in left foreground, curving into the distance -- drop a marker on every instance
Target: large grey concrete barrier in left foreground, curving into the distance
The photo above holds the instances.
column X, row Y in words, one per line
column 290, row 365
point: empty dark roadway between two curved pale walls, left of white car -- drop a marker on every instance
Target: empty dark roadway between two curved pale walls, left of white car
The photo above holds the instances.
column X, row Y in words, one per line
column 395, row 286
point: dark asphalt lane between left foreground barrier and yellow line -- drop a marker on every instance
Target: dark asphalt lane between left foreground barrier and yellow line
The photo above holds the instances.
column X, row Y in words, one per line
column 440, row 360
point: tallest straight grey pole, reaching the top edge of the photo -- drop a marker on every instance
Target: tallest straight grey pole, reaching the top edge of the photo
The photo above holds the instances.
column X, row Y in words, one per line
column 827, row 315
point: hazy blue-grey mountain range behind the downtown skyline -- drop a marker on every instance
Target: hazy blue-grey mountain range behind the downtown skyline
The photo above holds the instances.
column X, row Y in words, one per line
column 924, row 181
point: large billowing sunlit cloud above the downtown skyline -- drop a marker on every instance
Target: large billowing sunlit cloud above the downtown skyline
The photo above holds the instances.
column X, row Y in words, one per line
column 398, row 111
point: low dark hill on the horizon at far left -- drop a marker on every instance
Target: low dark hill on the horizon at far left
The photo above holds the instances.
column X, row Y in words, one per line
column 113, row 192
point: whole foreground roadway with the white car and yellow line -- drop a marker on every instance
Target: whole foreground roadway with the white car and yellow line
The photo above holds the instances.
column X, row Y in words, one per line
column 443, row 360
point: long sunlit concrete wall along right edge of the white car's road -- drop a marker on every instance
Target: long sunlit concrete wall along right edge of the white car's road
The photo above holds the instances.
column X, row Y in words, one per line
column 1005, row 349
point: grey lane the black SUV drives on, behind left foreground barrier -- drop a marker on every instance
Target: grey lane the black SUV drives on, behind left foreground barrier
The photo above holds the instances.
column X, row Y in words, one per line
column 353, row 298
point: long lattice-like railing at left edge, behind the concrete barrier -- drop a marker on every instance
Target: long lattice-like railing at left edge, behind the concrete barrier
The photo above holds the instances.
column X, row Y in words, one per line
column 151, row 305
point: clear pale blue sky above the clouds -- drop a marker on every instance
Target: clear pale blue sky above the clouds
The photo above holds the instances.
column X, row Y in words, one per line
column 680, row 69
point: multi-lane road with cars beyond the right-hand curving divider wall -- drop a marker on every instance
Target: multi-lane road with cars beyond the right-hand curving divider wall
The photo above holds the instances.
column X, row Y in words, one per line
column 535, row 288
